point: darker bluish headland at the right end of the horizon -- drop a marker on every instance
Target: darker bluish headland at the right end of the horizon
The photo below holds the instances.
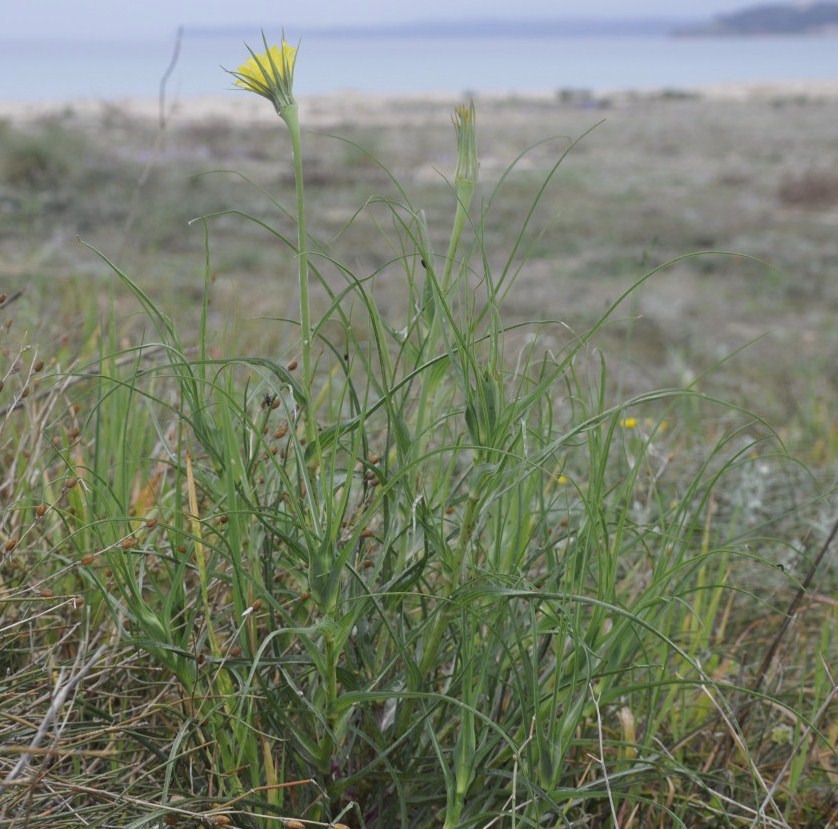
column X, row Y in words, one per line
column 774, row 19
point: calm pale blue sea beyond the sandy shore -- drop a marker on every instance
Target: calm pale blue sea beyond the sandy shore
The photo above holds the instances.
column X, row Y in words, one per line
column 31, row 71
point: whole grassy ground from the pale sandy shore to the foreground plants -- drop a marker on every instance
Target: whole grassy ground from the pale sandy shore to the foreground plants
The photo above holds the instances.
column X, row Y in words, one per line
column 535, row 529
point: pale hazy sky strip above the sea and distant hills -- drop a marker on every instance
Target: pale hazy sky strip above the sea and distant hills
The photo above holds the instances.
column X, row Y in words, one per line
column 159, row 18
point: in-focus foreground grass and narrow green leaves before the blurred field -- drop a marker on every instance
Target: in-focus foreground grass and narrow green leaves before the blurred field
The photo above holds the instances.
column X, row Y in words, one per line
column 502, row 586
